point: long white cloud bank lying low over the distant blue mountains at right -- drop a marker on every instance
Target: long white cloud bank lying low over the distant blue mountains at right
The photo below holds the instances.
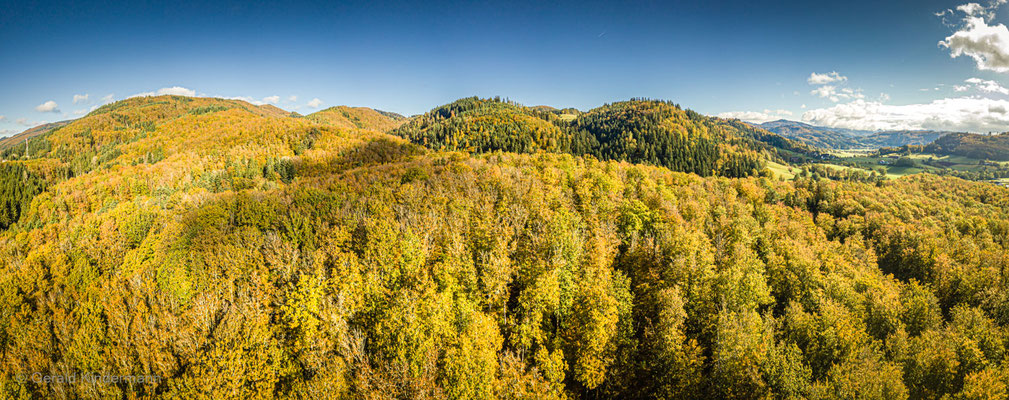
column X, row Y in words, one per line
column 962, row 115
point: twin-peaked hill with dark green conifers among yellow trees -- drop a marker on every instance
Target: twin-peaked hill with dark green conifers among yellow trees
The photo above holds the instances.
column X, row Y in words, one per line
column 648, row 132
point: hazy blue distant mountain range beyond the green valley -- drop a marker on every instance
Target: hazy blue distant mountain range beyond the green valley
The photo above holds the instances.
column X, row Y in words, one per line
column 842, row 139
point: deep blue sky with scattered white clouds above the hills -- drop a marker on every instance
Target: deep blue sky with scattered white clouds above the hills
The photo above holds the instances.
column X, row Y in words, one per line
column 855, row 64
